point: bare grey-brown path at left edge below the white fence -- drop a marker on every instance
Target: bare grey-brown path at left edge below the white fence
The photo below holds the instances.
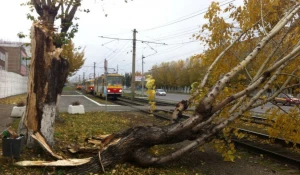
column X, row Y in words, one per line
column 5, row 119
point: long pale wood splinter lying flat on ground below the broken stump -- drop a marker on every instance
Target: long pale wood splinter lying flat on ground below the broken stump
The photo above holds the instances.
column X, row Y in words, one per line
column 67, row 162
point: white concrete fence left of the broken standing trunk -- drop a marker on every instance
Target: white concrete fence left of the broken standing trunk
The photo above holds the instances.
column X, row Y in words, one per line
column 12, row 84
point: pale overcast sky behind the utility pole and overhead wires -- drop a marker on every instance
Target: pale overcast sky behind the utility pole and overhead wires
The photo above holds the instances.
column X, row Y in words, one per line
column 162, row 21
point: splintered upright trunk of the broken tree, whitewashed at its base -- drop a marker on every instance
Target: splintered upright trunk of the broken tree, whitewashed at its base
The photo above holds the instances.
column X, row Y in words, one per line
column 46, row 79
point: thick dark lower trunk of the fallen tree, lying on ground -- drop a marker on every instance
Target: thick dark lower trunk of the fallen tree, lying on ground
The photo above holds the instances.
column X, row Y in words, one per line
column 132, row 145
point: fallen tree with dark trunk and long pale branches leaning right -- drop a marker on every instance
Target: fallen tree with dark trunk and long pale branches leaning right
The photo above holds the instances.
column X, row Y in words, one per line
column 212, row 113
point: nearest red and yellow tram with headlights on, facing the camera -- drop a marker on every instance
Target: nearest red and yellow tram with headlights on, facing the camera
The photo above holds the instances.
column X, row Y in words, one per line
column 114, row 86
